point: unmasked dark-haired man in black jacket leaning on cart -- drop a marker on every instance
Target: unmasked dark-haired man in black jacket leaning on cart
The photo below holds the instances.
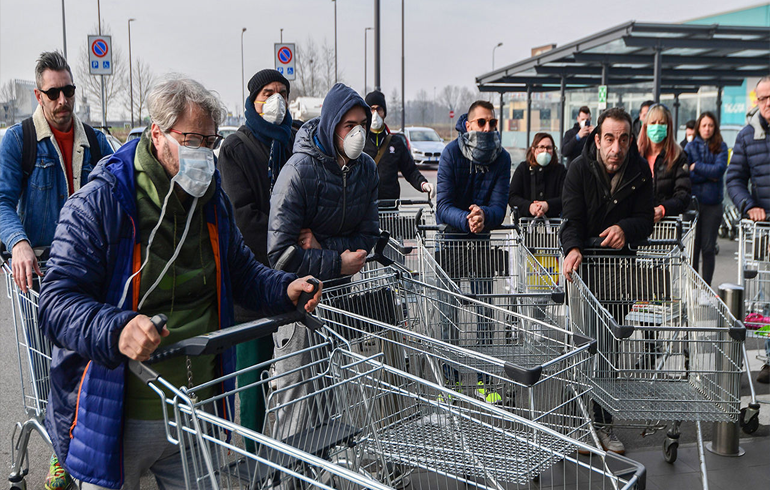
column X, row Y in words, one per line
column 607, row 193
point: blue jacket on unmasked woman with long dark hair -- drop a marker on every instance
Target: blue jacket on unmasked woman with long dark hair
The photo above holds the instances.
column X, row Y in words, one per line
column 706, row 178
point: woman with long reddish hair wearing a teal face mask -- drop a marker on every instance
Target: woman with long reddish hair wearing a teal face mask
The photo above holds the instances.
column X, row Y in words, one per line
column 668, row 163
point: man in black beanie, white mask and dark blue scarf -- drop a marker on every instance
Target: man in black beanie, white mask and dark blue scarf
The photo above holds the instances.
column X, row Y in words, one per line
column 249, row 162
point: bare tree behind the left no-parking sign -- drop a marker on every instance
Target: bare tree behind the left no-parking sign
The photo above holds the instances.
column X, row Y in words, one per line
column 115, row 85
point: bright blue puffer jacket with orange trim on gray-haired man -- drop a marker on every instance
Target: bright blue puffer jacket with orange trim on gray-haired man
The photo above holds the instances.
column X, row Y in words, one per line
column 93, row 253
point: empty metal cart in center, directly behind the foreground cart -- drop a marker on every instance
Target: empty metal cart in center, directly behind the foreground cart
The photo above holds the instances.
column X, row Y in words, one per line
column 526, row 365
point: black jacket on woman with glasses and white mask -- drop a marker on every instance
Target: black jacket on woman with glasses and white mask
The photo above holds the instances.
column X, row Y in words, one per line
column 537, row 184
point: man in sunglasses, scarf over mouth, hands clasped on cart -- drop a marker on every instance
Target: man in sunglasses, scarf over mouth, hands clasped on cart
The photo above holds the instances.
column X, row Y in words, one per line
column 474, row 174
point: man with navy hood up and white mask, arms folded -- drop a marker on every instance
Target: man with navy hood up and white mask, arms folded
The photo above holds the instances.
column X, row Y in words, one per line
column 323, row 218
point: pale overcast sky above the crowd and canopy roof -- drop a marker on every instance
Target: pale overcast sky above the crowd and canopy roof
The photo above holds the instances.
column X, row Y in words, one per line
column 448, row 42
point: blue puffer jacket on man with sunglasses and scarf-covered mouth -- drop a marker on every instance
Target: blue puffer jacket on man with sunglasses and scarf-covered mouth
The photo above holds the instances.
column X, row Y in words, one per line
column 461, row 183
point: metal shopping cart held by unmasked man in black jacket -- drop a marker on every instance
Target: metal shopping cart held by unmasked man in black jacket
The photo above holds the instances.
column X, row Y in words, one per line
column 668, row 347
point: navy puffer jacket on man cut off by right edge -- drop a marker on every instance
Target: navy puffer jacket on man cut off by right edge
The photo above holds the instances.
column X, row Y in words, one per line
column 751, row 162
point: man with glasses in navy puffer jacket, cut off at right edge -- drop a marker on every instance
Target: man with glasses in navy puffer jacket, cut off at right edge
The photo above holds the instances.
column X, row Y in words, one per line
column 751, row 163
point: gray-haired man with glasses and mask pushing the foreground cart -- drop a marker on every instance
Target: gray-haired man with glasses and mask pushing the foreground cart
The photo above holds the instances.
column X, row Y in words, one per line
column 153, row 214
